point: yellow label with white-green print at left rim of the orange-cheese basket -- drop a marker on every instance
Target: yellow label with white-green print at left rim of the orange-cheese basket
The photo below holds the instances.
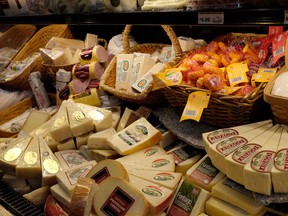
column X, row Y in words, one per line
column 169, row 77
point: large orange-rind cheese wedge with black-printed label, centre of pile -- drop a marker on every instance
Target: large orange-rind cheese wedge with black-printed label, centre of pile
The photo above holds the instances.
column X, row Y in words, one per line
column 137, row 136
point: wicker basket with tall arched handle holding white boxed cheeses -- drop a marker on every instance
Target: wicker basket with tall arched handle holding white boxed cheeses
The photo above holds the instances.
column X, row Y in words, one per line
column 109, row 77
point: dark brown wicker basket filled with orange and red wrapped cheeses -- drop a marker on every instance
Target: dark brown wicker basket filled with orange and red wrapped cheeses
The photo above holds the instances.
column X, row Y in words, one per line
column 223, row 110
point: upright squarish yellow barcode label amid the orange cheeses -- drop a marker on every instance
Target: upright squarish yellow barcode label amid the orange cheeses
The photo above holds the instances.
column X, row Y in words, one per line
column 237, row 73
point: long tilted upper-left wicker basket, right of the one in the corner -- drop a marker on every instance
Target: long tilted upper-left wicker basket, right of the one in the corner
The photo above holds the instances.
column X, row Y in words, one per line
column 39, row 40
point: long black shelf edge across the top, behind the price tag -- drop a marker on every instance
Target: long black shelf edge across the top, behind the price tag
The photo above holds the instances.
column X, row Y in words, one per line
column 241, row 16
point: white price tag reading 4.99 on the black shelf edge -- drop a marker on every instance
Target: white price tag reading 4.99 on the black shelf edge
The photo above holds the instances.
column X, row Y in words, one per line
column 211, row 18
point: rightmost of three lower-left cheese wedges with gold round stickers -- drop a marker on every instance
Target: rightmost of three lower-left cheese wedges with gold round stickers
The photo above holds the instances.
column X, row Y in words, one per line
column 50, row 164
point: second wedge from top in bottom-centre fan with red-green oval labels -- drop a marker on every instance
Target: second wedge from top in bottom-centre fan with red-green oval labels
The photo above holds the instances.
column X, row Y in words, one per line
column 159, row 163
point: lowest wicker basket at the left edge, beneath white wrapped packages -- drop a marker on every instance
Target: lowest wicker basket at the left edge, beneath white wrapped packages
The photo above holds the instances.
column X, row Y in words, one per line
column 14, row 111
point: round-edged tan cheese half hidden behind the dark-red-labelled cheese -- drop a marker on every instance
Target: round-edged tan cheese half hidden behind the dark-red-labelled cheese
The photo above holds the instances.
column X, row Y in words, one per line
column 106, row 168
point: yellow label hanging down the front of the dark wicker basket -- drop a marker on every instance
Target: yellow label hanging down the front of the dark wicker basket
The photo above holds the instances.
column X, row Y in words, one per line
column 197, row 102
